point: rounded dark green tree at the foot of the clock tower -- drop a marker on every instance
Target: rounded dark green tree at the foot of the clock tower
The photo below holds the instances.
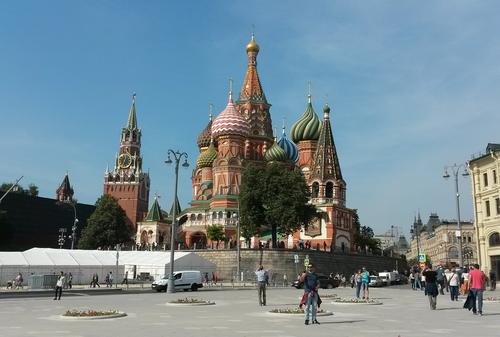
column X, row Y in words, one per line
column 107, row 226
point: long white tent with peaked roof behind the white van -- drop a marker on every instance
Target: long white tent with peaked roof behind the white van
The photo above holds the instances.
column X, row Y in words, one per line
column 82, row 264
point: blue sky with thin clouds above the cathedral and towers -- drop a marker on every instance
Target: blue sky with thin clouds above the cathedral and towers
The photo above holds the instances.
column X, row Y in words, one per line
column 413, row 86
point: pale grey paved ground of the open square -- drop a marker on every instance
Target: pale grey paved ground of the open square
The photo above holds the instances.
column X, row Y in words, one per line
column 404, row 313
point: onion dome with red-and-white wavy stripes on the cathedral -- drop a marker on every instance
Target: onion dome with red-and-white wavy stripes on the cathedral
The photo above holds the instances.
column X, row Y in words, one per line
column 230, row 122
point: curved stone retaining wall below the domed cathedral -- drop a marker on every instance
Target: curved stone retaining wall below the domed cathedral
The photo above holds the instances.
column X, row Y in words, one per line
column 281, row 262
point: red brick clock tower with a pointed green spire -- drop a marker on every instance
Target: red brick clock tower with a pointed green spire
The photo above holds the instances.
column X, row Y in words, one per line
column 126, row 182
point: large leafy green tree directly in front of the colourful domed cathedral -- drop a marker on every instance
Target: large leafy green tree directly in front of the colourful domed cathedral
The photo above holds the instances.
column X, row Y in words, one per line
column 275, row 197
